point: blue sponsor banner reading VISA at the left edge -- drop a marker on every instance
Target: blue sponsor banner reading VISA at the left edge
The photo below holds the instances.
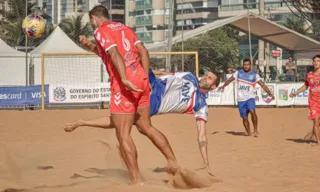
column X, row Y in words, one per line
column 30, row 95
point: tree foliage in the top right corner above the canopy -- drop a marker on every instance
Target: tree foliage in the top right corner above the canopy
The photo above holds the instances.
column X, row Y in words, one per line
column 308, row 10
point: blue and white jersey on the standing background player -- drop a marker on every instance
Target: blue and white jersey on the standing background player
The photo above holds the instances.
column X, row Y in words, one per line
column 246, row 82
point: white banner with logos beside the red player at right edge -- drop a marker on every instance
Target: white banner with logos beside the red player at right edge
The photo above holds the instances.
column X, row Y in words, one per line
column 284, row 91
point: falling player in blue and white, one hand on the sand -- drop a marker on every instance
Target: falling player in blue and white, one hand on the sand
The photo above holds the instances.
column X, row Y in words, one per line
column 181, row 93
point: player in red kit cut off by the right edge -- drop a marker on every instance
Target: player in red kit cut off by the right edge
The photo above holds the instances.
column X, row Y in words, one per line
column 313, row 82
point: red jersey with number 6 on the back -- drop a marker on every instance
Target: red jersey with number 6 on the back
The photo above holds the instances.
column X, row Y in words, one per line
column 111, row 34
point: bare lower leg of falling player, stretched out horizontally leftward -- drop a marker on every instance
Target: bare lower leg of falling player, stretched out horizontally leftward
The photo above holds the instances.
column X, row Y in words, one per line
column 103, row 122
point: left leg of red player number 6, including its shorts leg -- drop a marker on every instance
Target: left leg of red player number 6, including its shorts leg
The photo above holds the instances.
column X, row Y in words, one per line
column 123, row 107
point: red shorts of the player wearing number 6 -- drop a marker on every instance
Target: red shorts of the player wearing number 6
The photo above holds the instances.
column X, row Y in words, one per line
column 127, row 102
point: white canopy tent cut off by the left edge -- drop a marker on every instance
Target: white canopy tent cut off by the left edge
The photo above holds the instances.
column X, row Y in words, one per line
column 13, row 66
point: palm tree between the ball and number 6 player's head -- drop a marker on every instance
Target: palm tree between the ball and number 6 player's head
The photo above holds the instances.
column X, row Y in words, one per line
column 74, row 26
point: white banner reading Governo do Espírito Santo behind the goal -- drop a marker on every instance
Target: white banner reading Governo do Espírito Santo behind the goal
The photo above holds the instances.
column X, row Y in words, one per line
column 85, row 93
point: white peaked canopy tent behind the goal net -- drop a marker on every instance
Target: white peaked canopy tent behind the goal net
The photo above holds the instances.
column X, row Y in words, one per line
column 68, row 67
